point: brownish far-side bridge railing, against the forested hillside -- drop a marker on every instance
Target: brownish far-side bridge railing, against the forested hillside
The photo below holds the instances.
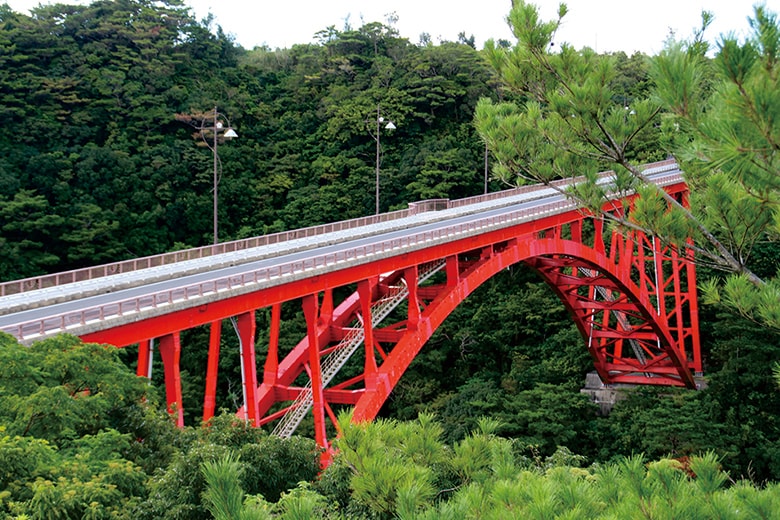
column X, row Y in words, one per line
column 126, row 266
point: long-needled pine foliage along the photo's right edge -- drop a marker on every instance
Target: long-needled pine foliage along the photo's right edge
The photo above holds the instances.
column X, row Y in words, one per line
column 723, row 110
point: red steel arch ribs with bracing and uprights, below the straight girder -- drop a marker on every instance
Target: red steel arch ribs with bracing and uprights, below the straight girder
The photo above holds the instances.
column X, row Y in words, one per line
column 634, row 302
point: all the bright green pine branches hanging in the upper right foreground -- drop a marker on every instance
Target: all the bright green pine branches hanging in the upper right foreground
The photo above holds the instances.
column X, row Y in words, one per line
column 577, row 112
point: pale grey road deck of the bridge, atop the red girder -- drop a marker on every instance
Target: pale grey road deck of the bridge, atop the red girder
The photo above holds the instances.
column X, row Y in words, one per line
column 107, row 301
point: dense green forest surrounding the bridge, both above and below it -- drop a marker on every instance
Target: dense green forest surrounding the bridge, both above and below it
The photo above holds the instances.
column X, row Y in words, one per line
column 488, row 421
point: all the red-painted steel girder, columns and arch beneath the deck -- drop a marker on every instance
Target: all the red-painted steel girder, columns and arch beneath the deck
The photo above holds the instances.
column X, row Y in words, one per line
column 632, row 299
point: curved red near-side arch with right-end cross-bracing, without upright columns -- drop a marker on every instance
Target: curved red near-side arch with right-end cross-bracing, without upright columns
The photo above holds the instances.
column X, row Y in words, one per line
column 549, row 257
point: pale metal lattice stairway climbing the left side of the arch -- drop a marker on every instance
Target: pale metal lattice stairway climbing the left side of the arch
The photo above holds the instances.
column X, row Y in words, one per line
column 334, row 361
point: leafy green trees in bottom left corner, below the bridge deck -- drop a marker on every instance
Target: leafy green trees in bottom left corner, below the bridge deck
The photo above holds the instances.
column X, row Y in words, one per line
column 64, row 406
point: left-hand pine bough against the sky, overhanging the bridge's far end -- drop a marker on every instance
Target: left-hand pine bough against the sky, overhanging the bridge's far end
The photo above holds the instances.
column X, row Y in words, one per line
column 574, row 113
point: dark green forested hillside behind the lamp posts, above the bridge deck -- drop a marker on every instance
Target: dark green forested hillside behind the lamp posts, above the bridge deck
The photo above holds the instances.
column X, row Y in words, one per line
column 96, row 167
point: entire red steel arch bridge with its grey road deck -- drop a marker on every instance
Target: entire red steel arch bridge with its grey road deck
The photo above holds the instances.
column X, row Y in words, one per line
column 632, row 298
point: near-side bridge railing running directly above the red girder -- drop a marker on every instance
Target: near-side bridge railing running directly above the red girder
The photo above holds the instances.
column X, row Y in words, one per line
column 67, row 321
